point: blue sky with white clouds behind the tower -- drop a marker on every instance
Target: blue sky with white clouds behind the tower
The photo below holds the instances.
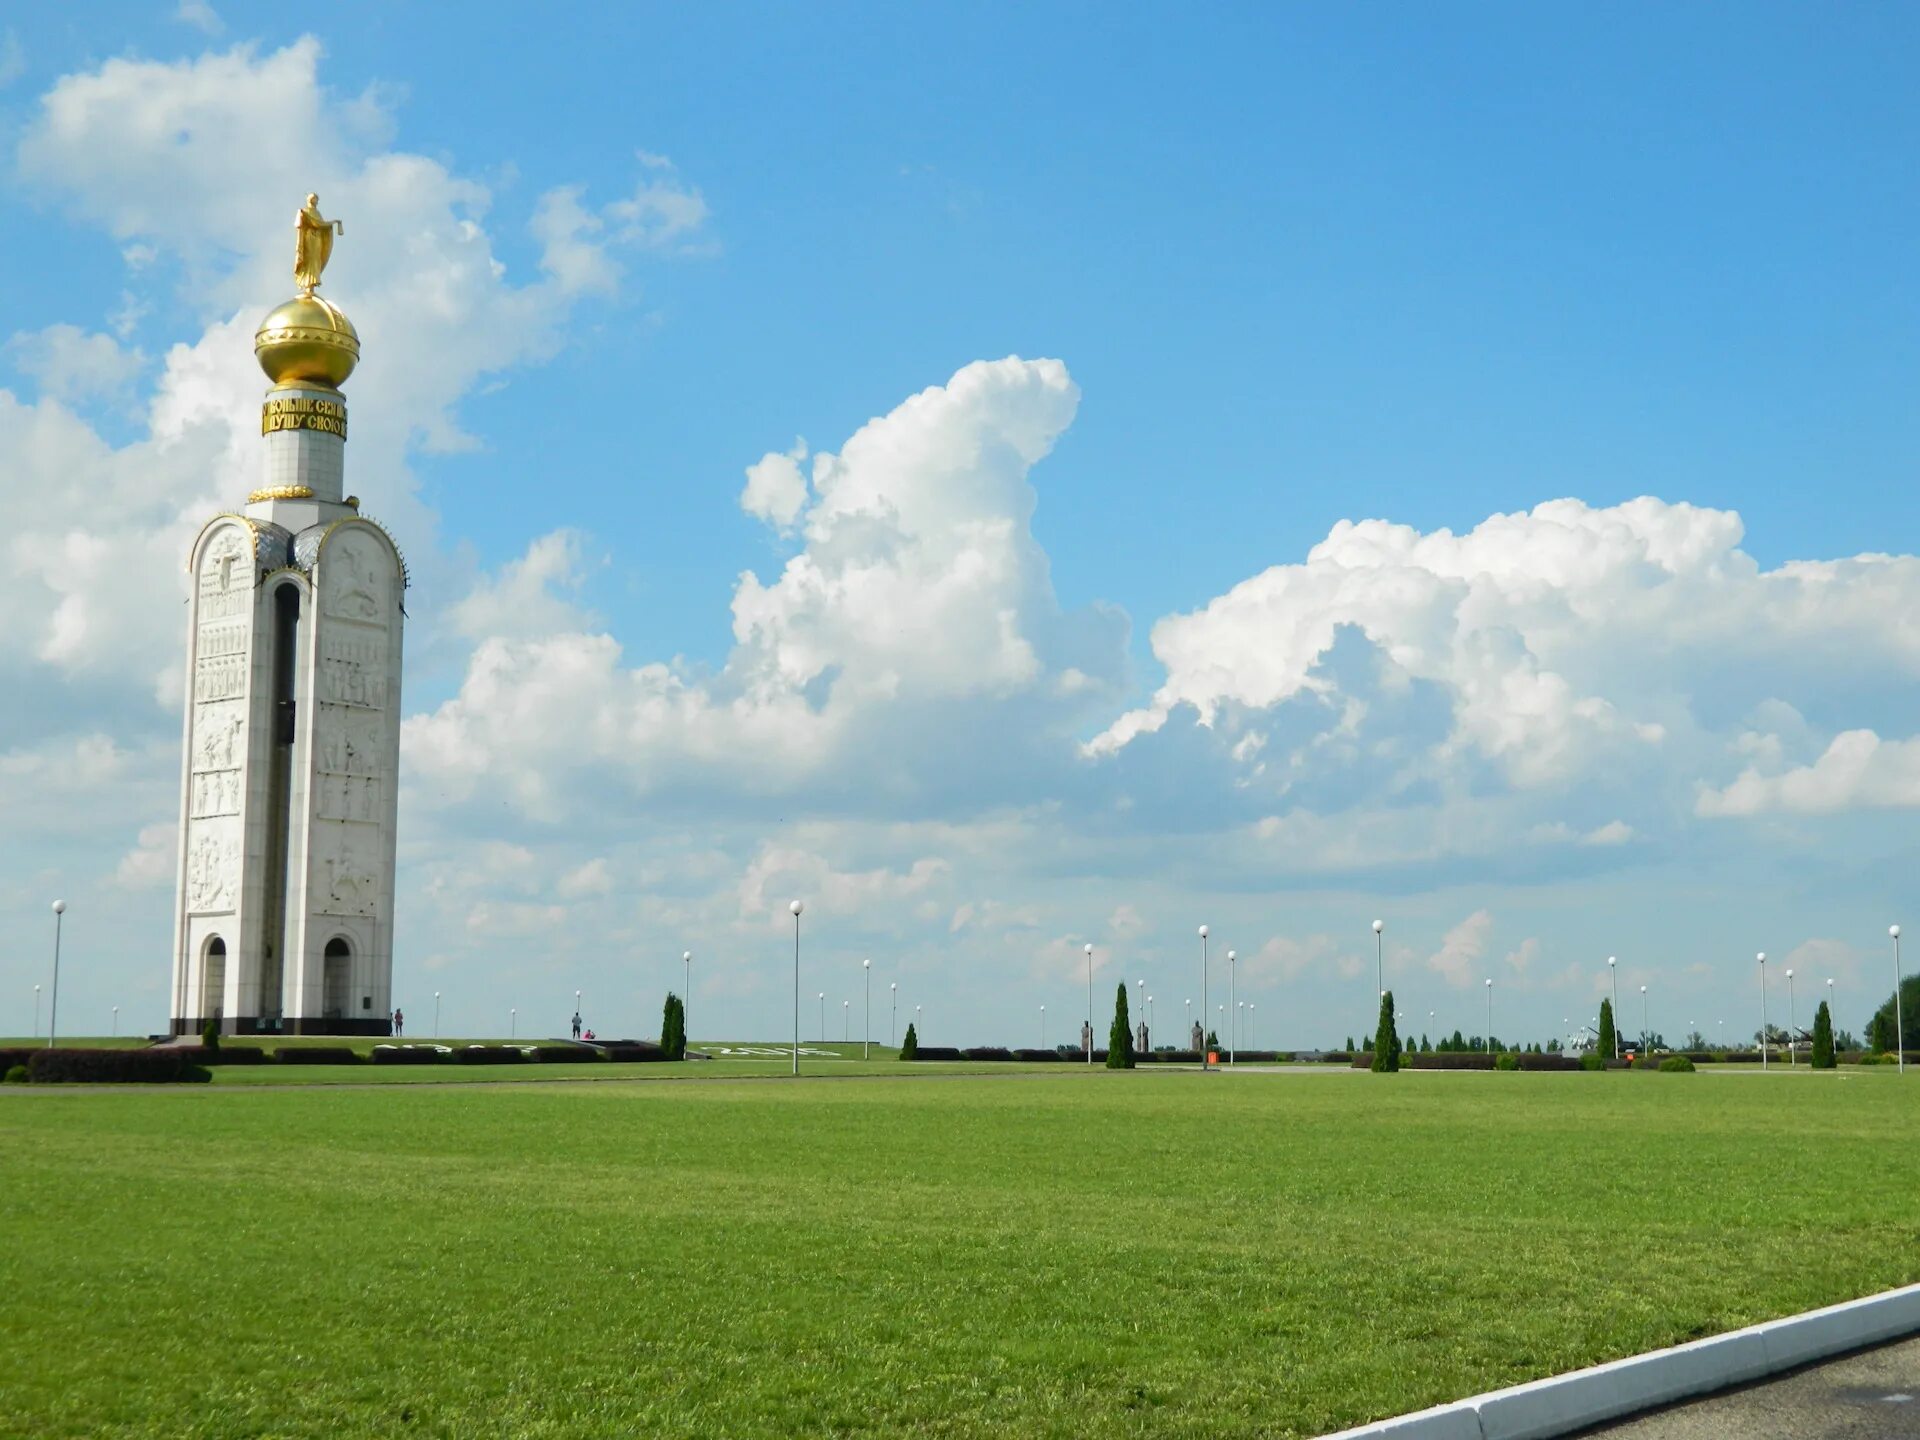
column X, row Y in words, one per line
column 1301, row 268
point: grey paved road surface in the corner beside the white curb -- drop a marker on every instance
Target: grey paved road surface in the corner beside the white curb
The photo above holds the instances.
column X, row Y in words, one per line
column 1867, row 1397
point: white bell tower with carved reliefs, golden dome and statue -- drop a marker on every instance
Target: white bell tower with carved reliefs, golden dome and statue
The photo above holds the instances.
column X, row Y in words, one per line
column 285, row 915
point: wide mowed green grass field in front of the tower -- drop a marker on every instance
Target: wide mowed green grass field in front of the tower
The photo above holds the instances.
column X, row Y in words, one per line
column 1036, row 1255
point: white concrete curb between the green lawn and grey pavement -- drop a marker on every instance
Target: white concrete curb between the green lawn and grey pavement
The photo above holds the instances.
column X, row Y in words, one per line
column 1564, row 1404
